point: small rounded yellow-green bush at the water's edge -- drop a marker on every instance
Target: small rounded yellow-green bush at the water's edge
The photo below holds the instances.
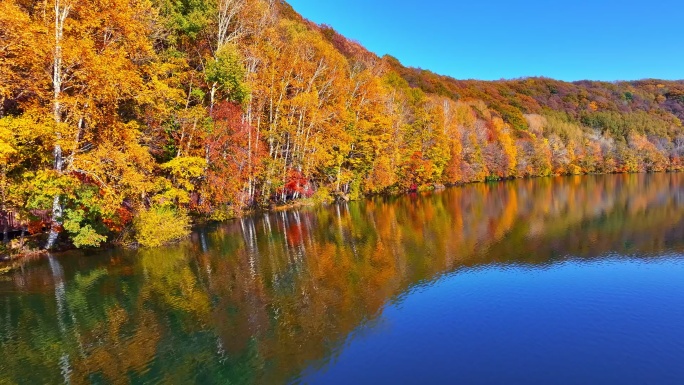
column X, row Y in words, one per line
column 160, row 225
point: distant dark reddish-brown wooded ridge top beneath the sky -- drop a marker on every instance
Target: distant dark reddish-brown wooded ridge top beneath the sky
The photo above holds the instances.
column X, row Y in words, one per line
column 514, row 98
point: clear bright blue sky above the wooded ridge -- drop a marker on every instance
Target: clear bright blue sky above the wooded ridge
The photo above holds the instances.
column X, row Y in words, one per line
column 495, row 39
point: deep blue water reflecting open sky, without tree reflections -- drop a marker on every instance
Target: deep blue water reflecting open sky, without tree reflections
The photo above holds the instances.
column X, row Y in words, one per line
column 613, row 321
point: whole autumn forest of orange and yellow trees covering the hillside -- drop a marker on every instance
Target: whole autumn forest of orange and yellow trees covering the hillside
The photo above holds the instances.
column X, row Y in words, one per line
column 125, row 121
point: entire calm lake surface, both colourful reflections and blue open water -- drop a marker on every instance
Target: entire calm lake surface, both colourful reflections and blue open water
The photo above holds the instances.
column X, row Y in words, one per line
column 552, row 281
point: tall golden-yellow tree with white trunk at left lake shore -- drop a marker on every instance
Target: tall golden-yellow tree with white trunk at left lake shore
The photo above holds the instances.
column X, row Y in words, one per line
column 96, row 54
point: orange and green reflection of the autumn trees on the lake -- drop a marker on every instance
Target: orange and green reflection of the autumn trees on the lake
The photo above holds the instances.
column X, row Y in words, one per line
column 260, row 299
